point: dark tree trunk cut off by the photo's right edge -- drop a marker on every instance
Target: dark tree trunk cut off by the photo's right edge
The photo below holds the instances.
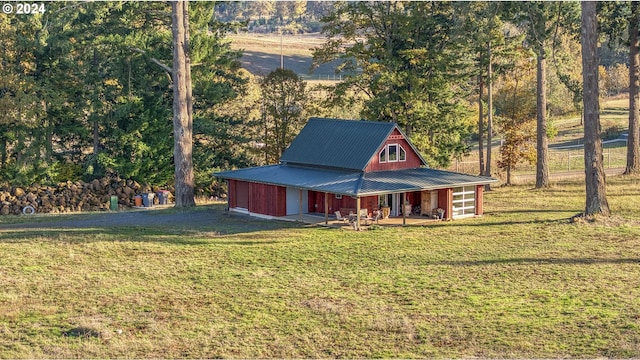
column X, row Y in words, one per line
column 633, row 149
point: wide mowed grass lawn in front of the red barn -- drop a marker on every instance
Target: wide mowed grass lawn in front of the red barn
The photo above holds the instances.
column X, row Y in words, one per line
column 522, row 281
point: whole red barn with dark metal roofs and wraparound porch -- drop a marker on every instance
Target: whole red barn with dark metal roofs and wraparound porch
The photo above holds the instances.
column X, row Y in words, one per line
column 344, row 164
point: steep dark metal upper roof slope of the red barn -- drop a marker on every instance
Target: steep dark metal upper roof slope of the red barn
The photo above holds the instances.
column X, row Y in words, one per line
column 341, row 144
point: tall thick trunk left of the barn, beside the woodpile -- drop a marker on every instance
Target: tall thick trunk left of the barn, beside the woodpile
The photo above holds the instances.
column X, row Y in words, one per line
column 182, row 120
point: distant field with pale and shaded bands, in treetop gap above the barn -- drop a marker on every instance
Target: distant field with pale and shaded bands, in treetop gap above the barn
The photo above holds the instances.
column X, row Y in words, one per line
column 262, row 54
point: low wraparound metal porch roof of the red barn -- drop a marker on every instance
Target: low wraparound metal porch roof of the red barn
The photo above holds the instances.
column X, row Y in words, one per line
column 354, row 183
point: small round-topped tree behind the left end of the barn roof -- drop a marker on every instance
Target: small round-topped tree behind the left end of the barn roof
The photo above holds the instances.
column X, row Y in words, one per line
column 285, row 96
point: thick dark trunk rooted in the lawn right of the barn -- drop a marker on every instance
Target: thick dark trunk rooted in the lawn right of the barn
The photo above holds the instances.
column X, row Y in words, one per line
column 596, row 199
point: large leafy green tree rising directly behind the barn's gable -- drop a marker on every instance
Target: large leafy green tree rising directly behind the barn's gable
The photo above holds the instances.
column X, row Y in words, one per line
column 405, row 62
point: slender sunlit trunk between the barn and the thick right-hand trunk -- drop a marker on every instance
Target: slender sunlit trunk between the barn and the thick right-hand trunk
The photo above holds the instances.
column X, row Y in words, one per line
column 542, row 163
